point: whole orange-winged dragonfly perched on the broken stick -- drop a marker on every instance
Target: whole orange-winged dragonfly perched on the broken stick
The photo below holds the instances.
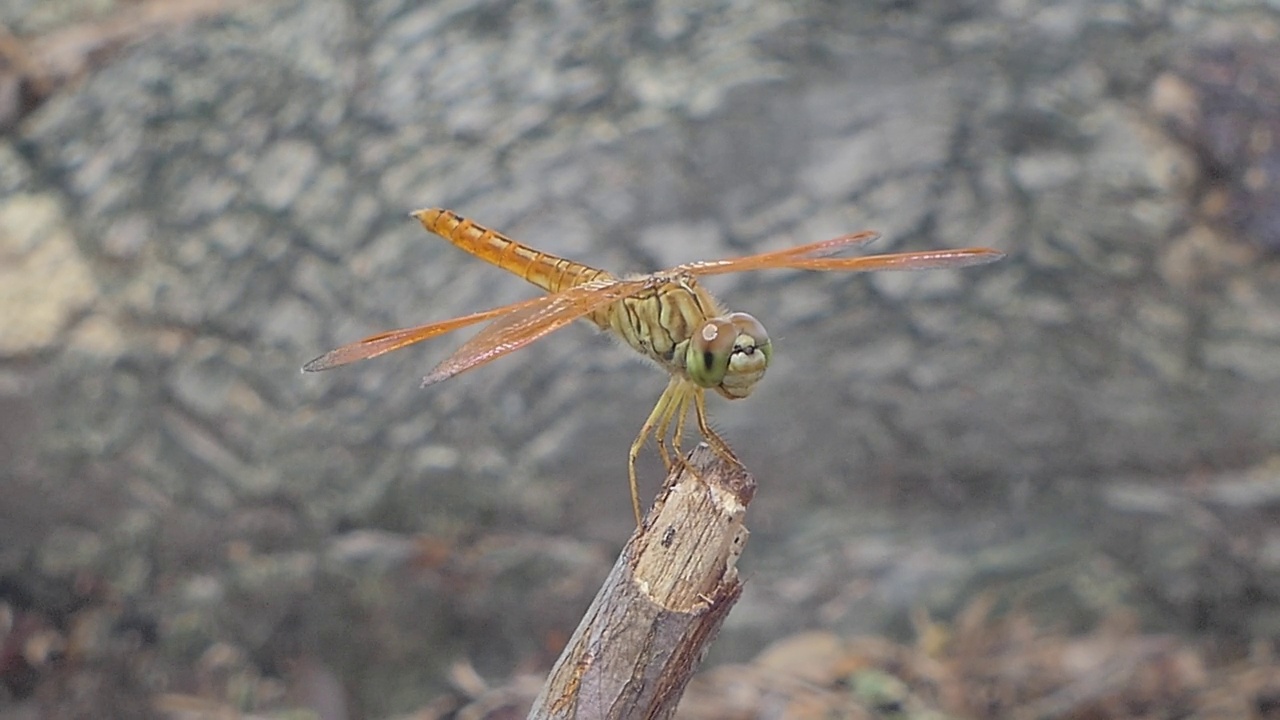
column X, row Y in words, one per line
column 666, row 316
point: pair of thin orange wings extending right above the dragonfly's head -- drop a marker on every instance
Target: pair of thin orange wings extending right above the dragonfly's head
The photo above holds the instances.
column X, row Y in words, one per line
column 816, row 257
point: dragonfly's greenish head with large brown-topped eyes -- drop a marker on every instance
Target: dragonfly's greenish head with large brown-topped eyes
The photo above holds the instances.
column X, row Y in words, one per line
column 729, row 354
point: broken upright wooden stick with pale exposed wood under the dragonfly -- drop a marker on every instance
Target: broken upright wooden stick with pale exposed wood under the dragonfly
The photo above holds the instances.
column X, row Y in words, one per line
column 666, row 599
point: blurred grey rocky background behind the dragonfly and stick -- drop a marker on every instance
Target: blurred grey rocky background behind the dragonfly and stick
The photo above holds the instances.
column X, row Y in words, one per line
column 1060, row 466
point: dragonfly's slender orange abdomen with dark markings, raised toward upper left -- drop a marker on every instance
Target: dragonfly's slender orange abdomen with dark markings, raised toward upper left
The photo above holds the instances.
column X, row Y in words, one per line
column 546, row 271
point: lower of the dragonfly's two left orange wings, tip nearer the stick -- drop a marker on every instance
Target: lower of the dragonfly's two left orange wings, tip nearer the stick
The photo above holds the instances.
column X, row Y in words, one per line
column 515, row 331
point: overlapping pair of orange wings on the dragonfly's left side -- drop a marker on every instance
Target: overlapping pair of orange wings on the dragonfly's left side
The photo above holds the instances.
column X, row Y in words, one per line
column 515, row 326
